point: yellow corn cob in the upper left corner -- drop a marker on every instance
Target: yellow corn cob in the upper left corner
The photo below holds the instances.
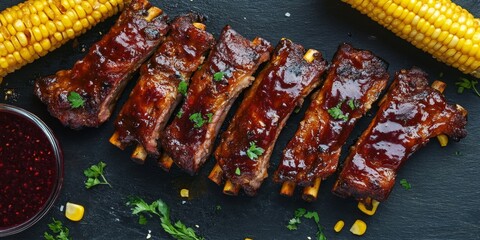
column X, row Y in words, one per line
column 31, row 29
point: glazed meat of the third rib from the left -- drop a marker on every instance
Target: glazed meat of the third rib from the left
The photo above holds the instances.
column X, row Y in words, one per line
column 189, row 144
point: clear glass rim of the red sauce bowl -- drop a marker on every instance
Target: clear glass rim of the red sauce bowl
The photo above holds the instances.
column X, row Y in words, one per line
column 59, row 165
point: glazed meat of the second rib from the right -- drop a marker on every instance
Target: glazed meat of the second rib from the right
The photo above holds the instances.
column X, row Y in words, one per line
column 355, row 77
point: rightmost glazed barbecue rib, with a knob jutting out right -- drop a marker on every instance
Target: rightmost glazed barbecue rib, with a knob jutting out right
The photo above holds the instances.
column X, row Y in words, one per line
column 408, row 117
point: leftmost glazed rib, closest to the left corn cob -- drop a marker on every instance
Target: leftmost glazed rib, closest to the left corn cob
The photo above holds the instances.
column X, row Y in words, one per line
column 103, row 73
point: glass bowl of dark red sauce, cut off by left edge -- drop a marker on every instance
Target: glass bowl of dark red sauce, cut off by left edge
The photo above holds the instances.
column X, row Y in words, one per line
column 31, row 169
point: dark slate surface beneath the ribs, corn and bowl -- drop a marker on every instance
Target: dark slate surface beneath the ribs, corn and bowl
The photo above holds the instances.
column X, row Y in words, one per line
column 442, row 204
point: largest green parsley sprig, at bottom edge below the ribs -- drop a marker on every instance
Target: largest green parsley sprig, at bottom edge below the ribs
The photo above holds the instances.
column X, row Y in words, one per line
column 158, row 208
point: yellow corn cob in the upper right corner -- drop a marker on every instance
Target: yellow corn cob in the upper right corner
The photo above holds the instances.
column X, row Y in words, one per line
column 440, row 27
